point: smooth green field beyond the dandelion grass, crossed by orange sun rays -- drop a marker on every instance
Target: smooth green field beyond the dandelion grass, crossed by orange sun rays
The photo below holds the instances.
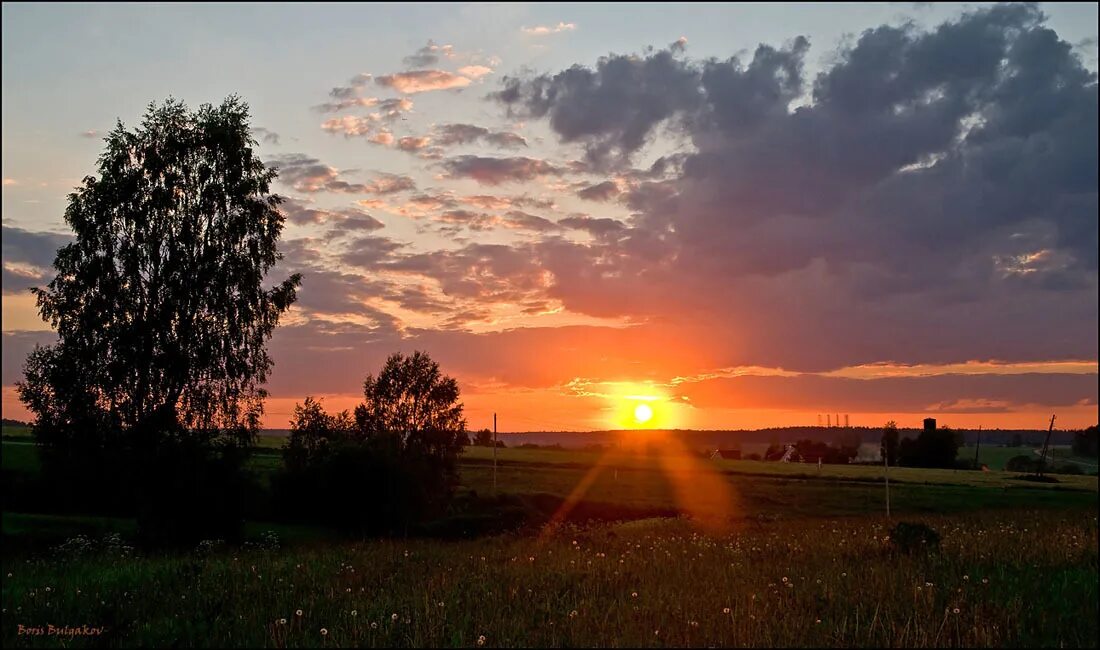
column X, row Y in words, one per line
column 641, row 484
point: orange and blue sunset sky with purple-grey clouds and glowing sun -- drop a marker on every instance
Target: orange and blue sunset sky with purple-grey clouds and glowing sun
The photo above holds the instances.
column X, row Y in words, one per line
column 742, row 216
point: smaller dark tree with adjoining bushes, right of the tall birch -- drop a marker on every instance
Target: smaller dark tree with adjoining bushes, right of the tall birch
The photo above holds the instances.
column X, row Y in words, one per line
column 397, row 462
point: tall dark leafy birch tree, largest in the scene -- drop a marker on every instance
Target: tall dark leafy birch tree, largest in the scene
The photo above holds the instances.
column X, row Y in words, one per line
column 155, row 389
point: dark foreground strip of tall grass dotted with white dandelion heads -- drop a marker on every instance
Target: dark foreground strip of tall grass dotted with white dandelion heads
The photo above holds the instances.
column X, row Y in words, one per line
column 1000, row 579
